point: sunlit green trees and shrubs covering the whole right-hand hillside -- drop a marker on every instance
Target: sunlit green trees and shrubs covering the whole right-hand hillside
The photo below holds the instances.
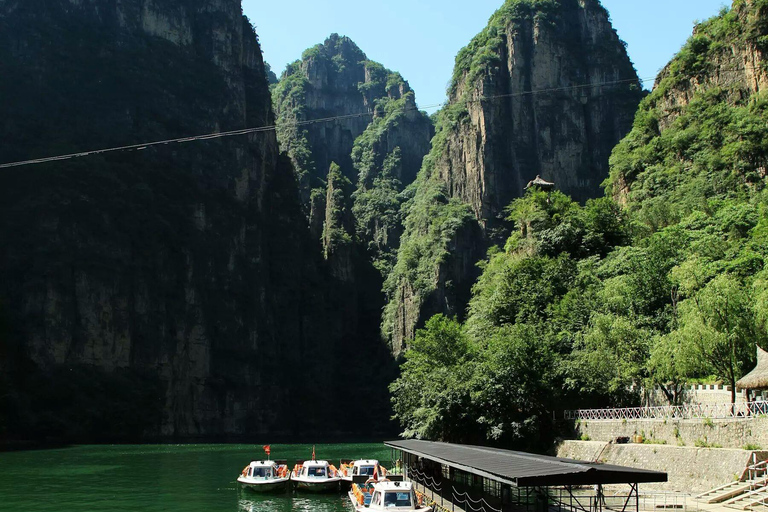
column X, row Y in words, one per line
column 584, row 302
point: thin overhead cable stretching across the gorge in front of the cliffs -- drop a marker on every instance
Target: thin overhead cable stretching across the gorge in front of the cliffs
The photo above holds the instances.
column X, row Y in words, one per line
column 260, row 129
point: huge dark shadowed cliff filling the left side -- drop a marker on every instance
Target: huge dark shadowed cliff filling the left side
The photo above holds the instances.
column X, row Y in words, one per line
column 173, row 291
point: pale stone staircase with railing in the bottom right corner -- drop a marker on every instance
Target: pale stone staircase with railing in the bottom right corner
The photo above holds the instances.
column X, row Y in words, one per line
column 749, row 493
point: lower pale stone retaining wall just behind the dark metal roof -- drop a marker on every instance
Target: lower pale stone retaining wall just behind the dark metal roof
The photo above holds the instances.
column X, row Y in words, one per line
column 690, row 470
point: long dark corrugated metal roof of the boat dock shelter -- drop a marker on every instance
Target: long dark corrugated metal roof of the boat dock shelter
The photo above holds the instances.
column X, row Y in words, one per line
column 524, row 469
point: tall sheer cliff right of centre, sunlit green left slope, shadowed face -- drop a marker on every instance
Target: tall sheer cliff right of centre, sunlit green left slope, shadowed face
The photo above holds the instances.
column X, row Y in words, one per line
column 546, row 89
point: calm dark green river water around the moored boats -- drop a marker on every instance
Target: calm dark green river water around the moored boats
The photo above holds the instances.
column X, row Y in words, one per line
column 183, row 478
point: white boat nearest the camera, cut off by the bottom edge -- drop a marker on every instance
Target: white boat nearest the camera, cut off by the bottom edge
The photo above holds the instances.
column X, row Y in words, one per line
column 386, row 496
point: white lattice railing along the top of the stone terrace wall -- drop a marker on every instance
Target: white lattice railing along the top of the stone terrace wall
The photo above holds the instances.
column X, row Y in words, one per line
column 683, row 412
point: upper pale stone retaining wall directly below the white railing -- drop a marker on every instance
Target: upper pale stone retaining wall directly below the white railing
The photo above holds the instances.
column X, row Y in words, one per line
column 732, row 433
